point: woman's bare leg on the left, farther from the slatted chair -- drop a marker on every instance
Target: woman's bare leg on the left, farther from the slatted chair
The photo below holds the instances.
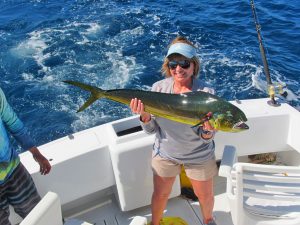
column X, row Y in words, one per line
column 162, row 190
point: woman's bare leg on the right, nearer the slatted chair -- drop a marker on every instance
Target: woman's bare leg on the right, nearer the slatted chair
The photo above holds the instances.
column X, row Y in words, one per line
column 204, row 191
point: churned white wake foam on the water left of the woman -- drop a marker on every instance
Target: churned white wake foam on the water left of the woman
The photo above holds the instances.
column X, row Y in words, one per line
column 122, row 69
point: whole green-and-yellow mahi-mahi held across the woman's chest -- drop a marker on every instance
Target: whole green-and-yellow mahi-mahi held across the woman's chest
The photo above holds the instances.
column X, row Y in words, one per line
column 190, row 108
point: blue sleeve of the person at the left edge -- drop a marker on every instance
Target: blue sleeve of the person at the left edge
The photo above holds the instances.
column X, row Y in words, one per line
column 13, row 124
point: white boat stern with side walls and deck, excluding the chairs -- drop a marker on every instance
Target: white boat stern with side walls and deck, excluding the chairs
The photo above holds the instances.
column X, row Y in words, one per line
column 102, row 175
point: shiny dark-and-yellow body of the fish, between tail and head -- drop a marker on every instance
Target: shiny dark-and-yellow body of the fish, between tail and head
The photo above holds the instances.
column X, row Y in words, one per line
column 187, row 107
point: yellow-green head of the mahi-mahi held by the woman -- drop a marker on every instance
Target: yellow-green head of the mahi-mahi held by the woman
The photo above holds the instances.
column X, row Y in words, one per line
column 230, row 121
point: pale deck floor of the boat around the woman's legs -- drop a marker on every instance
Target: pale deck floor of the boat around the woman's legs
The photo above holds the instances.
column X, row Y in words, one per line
column 109, row 212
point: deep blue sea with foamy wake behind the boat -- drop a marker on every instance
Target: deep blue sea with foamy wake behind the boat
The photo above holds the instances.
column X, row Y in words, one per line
column 122, row 43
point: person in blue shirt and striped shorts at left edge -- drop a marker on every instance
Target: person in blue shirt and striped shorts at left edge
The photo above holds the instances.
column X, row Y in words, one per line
column 16, row 185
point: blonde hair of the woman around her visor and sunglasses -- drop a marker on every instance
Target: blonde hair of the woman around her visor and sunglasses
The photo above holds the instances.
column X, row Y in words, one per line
column 165, row 68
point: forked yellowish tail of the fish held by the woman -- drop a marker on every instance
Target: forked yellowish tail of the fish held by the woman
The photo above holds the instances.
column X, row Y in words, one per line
column 96, row 93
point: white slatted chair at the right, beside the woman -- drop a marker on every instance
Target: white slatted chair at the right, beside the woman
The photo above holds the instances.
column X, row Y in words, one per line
column 261, row 194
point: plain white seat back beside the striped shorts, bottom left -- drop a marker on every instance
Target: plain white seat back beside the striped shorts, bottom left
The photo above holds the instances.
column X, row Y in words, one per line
column 48, row 212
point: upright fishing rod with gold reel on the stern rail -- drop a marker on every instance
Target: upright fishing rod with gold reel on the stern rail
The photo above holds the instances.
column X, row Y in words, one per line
column 272, row 88
